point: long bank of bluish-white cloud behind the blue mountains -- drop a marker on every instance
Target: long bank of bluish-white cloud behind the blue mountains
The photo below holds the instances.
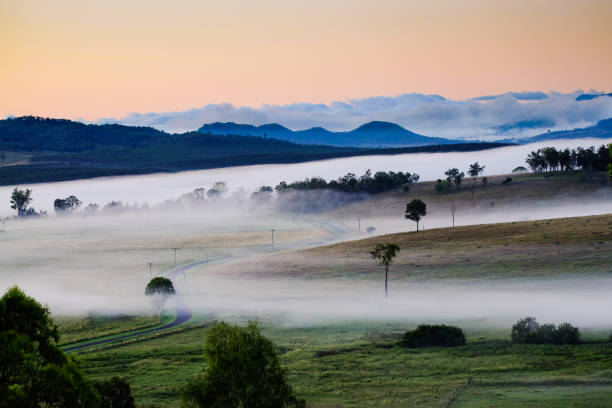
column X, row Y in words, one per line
column 509, row 115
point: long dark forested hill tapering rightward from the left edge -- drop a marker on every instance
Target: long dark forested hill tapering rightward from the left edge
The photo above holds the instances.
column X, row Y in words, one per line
column 58, row 150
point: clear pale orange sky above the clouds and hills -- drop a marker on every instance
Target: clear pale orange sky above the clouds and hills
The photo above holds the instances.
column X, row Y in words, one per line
column 93, row 59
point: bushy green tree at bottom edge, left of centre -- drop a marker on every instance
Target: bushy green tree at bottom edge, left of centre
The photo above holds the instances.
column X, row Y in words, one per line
column 243, row 370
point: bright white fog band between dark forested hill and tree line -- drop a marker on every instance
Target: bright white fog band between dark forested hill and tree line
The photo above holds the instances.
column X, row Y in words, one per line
column 156, row 188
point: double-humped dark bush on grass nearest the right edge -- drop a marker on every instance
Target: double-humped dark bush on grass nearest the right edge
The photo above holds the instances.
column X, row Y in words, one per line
column 528, row 331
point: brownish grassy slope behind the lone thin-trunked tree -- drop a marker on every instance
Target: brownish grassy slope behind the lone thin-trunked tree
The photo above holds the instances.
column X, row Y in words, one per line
column 556, row 247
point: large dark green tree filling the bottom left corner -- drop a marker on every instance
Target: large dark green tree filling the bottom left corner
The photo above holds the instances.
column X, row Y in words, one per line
column 33, row 370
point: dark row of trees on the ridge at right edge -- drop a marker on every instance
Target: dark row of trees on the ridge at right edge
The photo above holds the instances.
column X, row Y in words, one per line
column 580, row 158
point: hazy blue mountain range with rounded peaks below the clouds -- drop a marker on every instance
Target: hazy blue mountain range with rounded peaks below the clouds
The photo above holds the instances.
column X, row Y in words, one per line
column 371, row 134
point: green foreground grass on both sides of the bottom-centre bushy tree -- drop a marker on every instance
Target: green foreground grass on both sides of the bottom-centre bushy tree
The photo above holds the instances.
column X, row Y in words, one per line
column 360, row 364
